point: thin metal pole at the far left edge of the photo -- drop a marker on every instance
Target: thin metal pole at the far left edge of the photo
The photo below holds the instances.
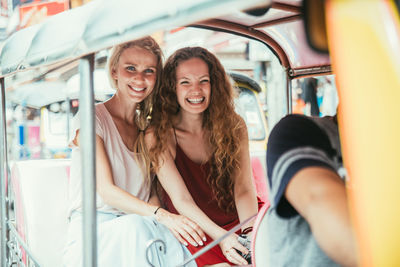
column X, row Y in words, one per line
column 3, row 176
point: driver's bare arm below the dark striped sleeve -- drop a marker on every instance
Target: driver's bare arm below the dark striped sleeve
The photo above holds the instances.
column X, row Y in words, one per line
column 319, row 195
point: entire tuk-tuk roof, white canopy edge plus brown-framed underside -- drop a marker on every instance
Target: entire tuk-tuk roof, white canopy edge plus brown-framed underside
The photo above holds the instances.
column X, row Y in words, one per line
column 101, row 24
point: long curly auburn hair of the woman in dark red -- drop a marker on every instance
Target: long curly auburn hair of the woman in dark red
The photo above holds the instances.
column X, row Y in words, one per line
column 223, row 130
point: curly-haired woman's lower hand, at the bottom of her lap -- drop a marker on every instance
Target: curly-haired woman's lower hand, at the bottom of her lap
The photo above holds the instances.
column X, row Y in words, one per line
column 229, row 246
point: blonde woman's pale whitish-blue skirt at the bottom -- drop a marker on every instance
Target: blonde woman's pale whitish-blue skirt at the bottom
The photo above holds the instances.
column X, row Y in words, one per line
column 122, row 242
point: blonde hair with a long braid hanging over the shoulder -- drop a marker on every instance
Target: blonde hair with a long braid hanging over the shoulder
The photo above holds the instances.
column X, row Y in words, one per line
column 144, row 109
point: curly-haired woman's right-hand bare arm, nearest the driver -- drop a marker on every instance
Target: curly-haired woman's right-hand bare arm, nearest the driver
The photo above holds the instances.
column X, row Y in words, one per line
column 244, row 190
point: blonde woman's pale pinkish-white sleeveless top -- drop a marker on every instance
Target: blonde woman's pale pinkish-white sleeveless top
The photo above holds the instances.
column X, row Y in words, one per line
column 125, row 169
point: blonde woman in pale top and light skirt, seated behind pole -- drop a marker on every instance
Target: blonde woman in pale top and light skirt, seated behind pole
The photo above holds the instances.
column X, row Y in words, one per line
column 128, row 214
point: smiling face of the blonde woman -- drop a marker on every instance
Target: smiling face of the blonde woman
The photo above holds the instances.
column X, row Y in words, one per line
column 135, row 73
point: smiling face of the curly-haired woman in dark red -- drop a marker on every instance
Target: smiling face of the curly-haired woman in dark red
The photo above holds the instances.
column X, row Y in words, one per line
column 193, row 86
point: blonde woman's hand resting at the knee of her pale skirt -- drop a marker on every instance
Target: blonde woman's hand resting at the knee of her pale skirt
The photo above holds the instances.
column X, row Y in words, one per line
column 182, row 228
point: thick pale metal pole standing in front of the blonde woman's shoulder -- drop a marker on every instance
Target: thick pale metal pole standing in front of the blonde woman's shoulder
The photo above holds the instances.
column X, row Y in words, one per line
column 88, row 154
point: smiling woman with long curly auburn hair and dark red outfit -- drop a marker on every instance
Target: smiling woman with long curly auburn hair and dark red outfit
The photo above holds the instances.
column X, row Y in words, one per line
column 199, row 150
